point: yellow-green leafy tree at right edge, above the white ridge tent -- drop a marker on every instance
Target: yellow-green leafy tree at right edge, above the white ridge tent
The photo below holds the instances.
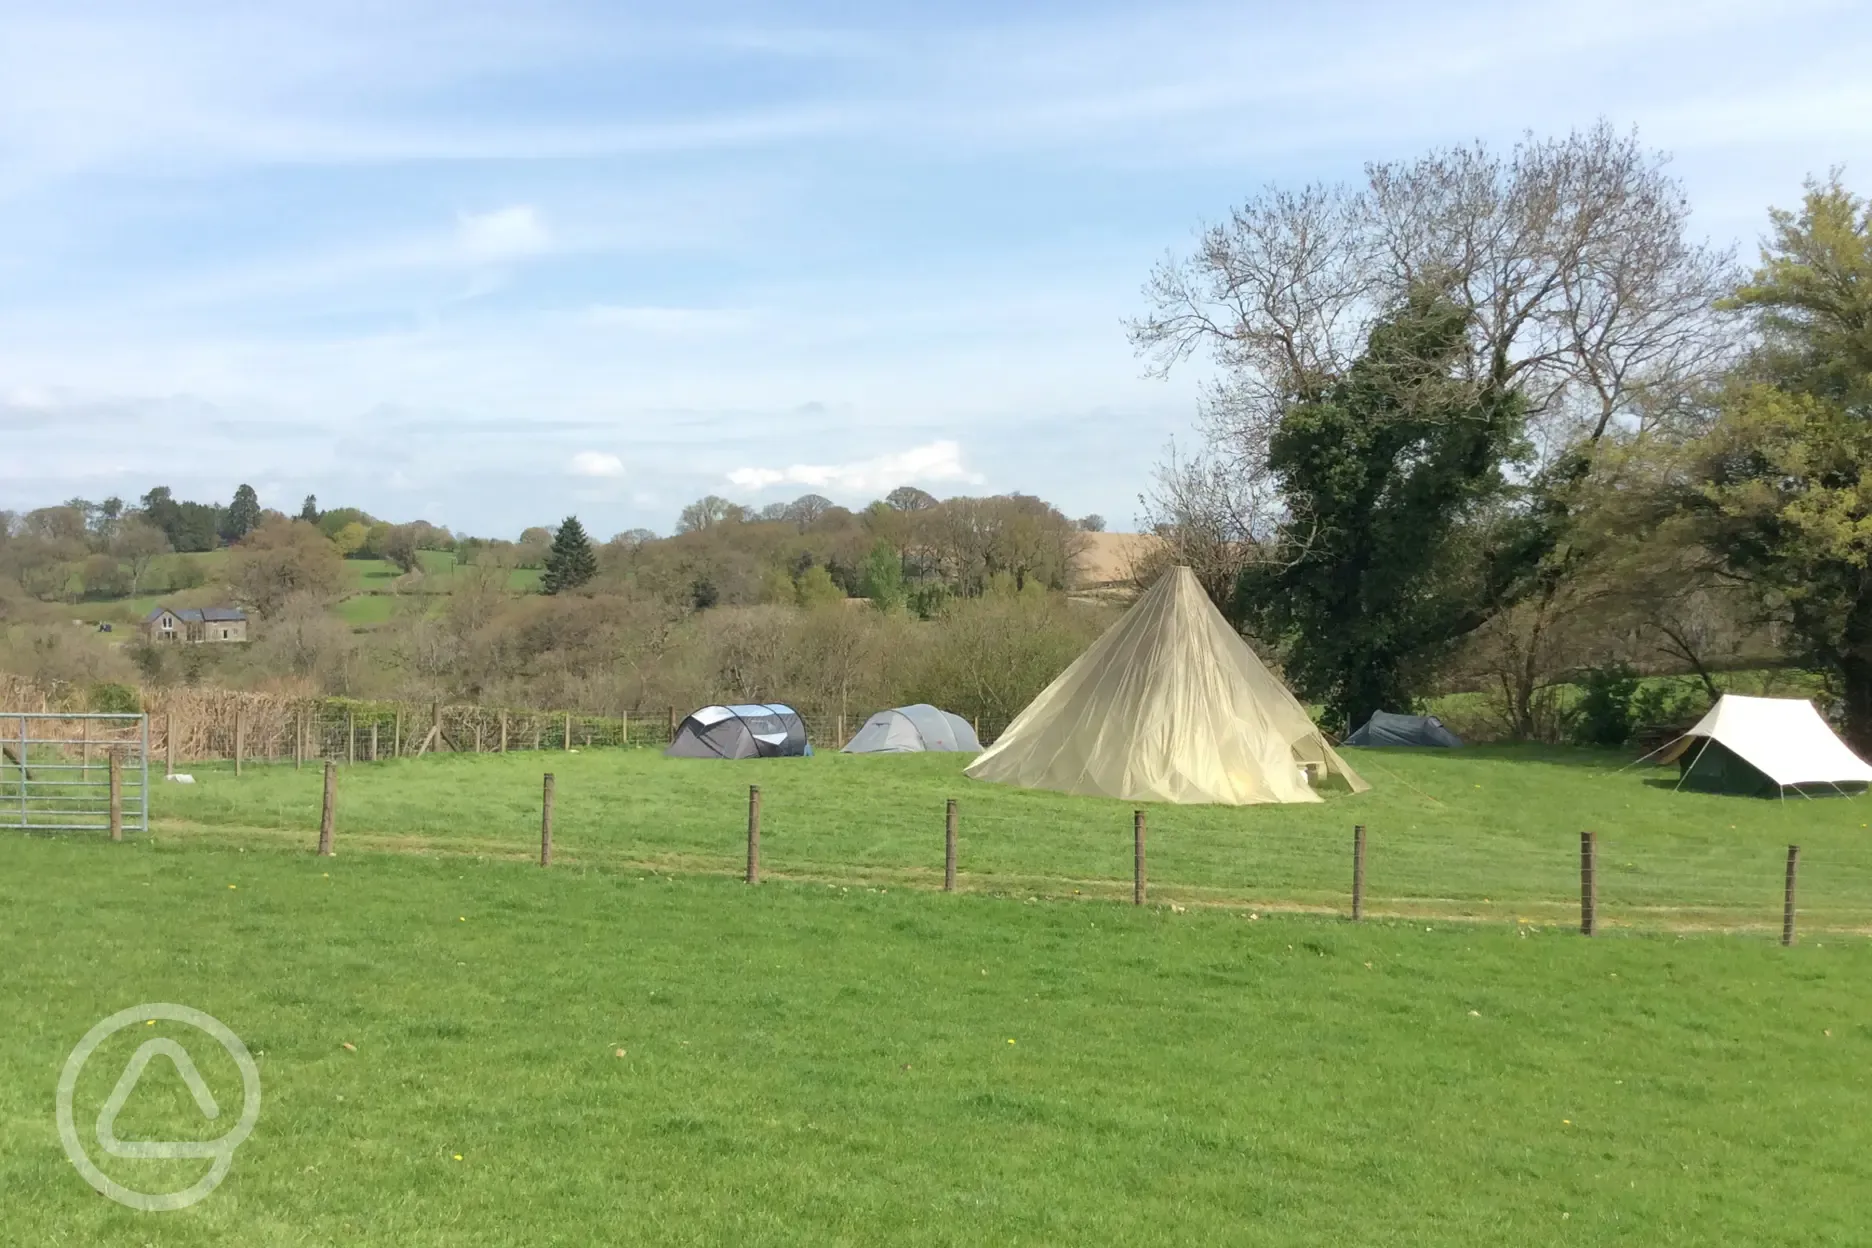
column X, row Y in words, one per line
column 1783, row 484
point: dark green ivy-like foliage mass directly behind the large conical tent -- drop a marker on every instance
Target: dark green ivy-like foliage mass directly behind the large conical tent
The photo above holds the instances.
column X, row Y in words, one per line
column 1375, row 573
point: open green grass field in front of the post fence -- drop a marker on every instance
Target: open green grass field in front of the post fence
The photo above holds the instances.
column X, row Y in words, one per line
column 815, row 1066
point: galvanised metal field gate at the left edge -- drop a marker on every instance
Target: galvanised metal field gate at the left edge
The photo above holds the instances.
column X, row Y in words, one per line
column 55, row 772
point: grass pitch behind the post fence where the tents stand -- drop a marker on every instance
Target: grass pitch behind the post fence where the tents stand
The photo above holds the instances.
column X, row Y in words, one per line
column 1487, row 832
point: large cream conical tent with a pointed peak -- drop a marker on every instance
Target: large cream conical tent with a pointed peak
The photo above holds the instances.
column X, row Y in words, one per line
column 1171, row 704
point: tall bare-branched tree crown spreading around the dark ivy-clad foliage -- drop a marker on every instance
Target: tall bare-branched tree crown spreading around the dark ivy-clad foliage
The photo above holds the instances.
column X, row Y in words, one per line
column 1570, row 255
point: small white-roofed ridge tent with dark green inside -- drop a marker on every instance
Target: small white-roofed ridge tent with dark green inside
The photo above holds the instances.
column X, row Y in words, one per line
column 1762, row 746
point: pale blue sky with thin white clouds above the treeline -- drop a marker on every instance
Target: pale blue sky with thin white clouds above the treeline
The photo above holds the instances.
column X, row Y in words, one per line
column 490, row 265
